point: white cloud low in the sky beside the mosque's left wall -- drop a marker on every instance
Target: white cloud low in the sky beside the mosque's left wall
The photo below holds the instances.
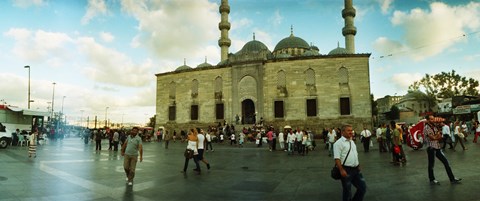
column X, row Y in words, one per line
column 111, row 66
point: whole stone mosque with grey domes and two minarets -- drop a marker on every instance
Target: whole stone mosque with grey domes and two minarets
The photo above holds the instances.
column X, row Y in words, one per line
column 293, row 85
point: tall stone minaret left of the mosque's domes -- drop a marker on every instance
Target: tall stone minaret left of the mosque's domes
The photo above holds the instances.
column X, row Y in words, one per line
column 224, row 42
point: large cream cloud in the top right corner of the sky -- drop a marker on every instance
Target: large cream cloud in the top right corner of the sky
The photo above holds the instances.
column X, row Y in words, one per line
column 430, row 32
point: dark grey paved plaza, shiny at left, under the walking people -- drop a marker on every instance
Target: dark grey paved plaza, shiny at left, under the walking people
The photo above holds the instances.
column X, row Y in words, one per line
column 70, row 170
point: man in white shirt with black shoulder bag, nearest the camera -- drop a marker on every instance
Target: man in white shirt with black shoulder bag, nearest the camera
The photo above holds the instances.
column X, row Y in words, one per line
column 345, row 152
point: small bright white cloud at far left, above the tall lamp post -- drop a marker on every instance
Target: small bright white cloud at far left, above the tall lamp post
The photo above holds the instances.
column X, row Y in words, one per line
column 40, row 45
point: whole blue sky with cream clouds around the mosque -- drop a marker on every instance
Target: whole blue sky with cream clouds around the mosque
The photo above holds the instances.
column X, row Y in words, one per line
column 105, row 53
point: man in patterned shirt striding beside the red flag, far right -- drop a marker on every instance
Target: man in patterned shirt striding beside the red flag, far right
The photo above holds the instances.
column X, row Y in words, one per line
column 432, row 136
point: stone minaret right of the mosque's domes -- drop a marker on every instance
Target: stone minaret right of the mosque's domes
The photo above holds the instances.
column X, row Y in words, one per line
column 349, row 30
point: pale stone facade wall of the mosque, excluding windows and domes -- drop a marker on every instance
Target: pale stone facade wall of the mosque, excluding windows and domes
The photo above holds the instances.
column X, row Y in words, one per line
column 327, row 90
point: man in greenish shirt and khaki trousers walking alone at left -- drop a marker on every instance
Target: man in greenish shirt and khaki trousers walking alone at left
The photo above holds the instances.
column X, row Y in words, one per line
column 130, row 150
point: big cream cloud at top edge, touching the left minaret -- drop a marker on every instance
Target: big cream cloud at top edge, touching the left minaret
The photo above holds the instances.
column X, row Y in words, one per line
column 170, row 33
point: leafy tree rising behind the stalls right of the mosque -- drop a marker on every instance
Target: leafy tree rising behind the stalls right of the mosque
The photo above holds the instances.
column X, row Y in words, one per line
column 446, row 85
